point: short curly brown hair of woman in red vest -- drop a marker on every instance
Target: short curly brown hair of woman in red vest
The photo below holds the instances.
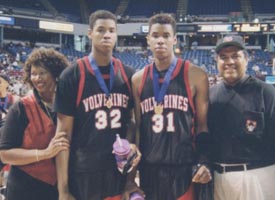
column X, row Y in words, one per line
column 50, row 59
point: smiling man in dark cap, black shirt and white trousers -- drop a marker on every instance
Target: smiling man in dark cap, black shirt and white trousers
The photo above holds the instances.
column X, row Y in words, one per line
column 241, row 120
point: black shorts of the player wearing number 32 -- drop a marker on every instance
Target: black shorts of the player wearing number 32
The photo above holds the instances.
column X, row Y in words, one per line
column 97, row 185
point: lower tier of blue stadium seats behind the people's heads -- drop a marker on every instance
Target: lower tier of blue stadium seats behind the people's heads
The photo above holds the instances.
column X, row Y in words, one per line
column 138, row 59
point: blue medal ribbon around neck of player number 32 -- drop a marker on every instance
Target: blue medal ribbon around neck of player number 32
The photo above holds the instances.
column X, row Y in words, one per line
column 99, row 77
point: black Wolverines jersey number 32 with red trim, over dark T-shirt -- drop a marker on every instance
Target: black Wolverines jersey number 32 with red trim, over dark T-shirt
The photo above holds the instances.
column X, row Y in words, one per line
column 95, row 125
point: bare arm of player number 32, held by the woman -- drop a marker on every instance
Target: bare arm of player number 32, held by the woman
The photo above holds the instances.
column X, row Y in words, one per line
column 64, row 124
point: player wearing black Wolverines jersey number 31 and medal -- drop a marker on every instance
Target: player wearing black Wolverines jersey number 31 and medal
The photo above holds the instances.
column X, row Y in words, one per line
column 171, row 102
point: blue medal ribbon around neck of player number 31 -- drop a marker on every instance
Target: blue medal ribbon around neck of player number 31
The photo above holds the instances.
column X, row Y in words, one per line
column 159, row 92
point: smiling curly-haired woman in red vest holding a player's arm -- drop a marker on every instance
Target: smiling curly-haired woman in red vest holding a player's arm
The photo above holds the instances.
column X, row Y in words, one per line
column 28, row 142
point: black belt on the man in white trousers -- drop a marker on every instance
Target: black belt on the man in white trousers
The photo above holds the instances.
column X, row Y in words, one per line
column 220, row 168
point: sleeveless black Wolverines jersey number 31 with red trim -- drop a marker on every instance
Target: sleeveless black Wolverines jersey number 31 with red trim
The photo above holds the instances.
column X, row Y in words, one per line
column 167, row 138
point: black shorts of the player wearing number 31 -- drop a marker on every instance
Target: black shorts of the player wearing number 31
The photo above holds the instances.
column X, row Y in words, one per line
column 163, row 182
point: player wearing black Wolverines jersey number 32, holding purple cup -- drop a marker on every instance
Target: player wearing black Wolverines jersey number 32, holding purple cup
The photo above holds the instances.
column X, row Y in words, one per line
column 94, row 103
